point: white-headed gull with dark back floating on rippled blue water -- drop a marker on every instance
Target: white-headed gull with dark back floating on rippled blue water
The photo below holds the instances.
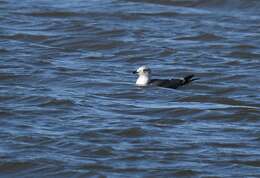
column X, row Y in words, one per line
column 144, row 79
